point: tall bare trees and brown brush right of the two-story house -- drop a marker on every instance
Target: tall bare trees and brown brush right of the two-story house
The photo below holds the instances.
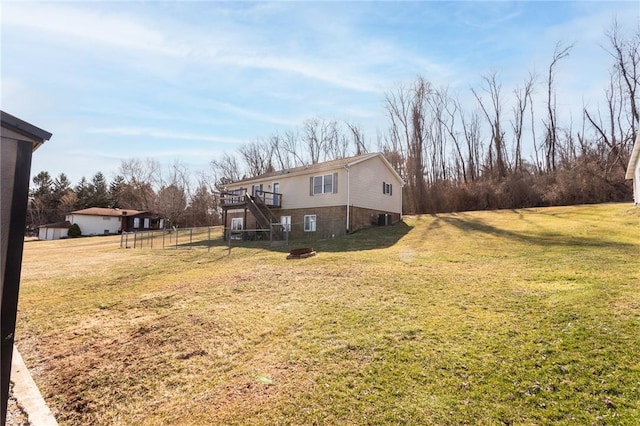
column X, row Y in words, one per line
column 453, row 158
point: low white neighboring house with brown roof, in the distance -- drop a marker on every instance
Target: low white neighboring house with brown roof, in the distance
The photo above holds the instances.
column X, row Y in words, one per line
column 101, row 221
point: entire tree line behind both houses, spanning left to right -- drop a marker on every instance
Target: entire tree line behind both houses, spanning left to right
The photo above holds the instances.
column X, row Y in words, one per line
column 497, row 152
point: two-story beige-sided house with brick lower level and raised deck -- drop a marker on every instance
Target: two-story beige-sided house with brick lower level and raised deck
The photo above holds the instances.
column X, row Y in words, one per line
column 322, row 200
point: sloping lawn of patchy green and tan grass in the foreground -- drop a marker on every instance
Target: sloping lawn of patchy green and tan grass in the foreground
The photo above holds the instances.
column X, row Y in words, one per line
column 506, row 317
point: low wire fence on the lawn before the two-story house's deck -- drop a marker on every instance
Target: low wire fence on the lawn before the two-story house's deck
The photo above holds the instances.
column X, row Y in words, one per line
column 208, row 238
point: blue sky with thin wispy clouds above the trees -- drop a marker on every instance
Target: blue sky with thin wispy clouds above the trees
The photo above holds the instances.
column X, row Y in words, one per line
column 188, row 81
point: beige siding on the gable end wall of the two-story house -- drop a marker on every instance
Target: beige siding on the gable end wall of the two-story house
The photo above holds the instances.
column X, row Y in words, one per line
column 366, row 187
